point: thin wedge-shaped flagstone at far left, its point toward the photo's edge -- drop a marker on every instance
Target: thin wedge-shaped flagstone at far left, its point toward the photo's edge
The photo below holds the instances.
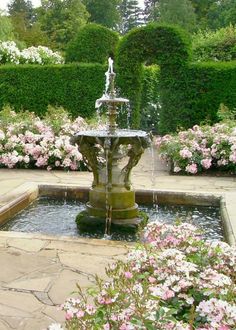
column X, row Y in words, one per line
column 31, row 284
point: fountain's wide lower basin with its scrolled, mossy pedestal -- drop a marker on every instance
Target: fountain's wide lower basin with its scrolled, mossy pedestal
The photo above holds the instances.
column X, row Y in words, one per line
column 111, row 157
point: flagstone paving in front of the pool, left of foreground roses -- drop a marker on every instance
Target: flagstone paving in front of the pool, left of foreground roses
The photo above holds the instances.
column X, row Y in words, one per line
column 38, row 273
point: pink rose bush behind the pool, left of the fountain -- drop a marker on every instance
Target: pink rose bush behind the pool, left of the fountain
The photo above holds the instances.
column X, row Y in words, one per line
column 26, row 141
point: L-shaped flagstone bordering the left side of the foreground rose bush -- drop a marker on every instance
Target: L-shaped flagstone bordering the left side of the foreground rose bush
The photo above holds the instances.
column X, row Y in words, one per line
column 66, row 284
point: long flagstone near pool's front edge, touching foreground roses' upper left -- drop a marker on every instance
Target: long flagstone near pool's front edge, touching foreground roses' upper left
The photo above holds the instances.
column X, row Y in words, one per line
column 86, row 264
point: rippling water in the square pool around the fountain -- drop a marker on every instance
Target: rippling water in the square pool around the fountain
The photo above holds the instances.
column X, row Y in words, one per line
column 55, row 216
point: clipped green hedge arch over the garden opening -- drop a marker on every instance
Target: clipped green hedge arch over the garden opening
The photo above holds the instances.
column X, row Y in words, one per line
column 164, row 45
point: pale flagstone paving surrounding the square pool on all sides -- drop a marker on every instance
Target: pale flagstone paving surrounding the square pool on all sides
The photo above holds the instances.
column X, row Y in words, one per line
column 39, row 271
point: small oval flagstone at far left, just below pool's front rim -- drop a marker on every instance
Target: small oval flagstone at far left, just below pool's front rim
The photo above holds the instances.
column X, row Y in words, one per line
column 29, row 245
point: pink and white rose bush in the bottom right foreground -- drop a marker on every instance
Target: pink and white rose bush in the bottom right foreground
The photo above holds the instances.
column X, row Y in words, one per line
column 172, row 281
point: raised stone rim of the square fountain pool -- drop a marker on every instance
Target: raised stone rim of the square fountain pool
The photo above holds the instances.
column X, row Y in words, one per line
column 23, row 195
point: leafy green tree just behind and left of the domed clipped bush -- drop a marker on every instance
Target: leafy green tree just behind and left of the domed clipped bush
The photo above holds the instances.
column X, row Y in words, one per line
column 61, row 20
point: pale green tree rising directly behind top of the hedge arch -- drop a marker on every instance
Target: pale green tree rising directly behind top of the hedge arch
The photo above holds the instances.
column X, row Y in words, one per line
column 180, row 12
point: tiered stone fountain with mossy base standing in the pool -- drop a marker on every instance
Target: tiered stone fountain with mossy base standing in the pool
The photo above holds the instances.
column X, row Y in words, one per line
column 111, row 154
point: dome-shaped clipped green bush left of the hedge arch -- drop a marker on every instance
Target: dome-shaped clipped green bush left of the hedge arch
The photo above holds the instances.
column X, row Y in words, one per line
column 93, row 43
